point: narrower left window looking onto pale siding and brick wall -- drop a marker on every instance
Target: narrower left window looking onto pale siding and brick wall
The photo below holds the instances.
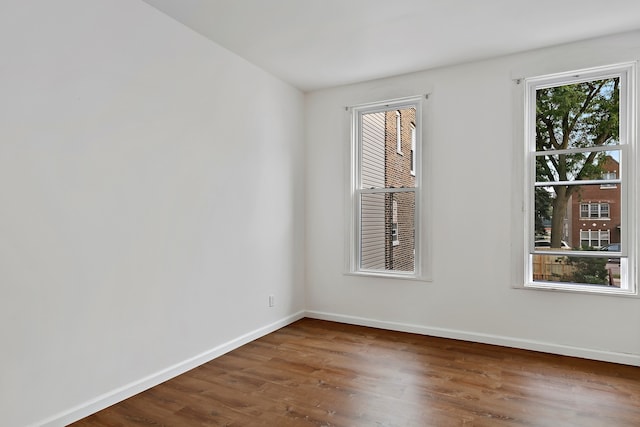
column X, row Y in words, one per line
column 384, row 192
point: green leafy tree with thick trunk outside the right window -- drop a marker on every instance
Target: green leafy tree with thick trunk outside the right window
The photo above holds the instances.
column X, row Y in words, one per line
column 574, row 116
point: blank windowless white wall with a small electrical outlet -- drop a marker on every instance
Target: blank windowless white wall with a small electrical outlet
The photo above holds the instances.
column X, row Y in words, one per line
column 150, row 201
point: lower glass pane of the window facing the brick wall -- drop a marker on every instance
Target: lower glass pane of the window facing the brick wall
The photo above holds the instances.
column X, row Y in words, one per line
column 387, row 245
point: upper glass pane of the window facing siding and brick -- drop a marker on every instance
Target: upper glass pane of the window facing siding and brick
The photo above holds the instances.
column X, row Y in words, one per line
column 383, row 165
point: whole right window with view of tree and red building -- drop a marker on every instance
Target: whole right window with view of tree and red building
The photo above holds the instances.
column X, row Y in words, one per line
column 580, row 164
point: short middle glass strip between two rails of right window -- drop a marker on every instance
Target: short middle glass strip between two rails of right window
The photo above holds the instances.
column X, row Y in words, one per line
column 590, row 165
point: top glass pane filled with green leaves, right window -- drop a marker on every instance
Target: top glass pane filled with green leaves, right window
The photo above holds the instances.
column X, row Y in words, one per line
column 578, row 115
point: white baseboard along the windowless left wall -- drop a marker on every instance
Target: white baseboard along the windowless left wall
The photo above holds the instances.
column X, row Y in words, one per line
column 126, row 391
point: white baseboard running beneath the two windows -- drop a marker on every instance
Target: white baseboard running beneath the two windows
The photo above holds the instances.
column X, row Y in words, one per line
column 585, row 353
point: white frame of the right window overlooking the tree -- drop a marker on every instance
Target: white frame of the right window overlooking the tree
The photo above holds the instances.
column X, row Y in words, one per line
column 627, row 73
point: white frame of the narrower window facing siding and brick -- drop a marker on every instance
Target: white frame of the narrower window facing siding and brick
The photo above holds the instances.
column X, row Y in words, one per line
column 421, row 246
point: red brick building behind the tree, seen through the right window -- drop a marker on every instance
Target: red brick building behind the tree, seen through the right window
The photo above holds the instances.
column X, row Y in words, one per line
column 594, row 217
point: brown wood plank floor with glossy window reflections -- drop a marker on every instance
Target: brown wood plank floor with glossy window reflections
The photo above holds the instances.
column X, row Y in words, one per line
column 317, row 373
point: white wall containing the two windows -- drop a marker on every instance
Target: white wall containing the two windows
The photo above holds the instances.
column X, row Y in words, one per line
column 470, row 139
